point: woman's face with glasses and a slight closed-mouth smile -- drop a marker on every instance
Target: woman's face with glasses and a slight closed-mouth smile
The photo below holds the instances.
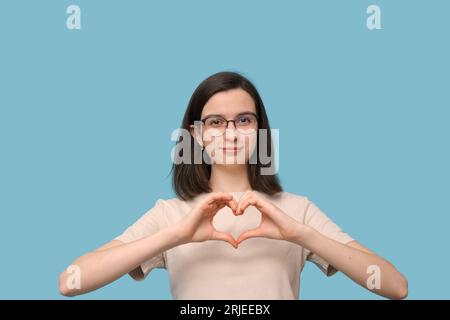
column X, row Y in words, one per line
column 233, row 142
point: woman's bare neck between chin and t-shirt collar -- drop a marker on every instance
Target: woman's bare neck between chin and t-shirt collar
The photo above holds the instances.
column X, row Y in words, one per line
column 229, row 178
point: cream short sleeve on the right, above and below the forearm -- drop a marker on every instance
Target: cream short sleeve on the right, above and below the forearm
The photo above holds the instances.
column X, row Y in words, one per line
column 315, row 218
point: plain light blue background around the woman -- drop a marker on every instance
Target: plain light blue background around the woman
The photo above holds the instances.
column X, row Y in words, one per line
column 86, row 118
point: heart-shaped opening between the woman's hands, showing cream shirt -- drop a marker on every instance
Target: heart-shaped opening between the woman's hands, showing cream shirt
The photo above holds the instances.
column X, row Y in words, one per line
column 226, row 221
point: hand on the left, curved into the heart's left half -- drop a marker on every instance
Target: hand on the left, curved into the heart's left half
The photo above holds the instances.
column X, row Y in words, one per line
column 197, row 225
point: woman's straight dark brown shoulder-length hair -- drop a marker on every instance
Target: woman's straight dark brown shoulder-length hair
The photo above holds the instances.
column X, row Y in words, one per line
column 190, row 179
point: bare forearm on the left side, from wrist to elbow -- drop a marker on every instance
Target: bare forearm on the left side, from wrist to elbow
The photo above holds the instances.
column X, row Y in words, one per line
column 98, row 268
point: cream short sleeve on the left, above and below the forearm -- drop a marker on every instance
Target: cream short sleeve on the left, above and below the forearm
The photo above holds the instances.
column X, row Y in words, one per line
column 150, row 223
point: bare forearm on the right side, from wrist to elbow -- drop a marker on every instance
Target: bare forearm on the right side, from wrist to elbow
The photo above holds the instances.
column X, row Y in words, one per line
column 354, row 263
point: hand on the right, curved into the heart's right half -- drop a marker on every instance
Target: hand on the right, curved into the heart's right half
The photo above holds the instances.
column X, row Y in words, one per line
column 275, row 224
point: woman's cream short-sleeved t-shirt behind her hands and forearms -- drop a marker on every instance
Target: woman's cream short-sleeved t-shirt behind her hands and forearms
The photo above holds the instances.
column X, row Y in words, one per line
column 260, row 268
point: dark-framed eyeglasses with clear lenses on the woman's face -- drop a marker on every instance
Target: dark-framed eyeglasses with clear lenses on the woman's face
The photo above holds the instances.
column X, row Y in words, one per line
column 245, row 123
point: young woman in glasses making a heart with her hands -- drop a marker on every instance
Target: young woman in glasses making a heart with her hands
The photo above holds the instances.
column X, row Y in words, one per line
column 232, row 232
